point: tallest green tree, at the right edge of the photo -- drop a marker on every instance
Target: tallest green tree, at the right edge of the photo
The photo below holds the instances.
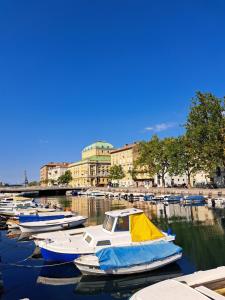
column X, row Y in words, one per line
column 206, row 131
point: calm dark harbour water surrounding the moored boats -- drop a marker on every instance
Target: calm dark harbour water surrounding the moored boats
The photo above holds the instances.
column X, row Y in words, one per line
column 199, row 230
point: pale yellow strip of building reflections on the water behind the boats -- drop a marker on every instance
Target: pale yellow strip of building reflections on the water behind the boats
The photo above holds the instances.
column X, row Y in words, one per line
column 95, row 208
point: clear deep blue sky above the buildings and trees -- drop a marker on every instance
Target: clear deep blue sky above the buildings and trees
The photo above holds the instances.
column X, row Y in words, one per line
column 76, row 71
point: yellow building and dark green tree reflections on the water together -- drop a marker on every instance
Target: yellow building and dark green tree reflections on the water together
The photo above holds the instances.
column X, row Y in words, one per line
column 199, row 229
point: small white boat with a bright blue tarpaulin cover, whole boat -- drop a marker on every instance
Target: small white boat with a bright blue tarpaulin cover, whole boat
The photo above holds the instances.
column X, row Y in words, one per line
column 129, row 259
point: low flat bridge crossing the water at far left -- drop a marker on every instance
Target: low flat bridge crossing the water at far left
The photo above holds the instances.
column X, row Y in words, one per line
column 43, row 191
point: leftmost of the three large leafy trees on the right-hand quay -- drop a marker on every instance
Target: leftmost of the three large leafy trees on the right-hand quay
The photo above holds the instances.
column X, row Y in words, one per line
column 154, row 156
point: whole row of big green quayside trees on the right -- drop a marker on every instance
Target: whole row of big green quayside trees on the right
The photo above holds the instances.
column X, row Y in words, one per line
column 201, row 148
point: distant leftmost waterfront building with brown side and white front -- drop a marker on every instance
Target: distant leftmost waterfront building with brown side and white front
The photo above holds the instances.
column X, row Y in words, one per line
column 50, row 172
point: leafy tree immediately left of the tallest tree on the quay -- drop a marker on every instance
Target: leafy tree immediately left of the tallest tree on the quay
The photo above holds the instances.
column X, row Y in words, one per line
column 182, row 160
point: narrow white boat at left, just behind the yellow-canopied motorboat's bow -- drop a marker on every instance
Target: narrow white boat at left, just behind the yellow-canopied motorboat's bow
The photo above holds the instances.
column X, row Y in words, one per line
column 51, row 225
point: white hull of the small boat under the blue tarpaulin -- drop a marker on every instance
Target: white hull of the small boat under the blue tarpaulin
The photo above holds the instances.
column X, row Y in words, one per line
column 87, row 268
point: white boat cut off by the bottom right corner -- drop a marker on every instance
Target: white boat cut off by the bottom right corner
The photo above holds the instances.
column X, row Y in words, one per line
column 201, row 285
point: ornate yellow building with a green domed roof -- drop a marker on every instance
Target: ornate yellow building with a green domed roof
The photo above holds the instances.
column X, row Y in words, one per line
column 93, row 168
